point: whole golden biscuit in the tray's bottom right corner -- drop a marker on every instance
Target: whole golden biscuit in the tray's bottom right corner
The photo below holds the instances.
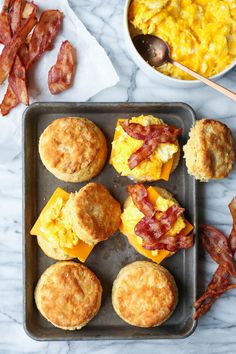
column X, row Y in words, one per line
column 144, row 294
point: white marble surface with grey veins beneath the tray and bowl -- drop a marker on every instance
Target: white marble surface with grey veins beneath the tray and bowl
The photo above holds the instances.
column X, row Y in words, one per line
column 216, row 332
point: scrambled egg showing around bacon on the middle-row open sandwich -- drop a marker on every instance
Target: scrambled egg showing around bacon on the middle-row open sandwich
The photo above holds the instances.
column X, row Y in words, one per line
column 131, row 216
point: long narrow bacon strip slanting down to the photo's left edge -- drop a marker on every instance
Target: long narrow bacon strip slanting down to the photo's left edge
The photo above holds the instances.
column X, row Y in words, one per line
column 9, row 52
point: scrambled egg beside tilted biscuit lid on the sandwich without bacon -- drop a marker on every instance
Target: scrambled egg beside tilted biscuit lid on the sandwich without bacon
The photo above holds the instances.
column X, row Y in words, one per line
column 55, row 227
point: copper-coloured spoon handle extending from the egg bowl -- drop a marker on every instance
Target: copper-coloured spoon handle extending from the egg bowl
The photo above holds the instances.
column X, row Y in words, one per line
column 206, row 81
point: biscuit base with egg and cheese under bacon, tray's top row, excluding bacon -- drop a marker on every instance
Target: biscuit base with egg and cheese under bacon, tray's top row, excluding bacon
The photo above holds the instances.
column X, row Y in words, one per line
column 158, row 165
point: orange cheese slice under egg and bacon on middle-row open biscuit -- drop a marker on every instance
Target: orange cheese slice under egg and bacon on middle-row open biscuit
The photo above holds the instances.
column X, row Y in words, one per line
column 159, row 255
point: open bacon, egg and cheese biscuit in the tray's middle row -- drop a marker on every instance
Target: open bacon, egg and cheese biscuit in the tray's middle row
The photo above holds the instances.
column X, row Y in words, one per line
column 154, row 223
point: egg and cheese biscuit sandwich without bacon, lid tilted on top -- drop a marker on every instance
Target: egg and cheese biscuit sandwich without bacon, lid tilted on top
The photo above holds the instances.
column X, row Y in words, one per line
column 70, row 225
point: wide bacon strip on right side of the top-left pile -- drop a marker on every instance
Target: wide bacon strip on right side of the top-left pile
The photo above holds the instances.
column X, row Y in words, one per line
column 44, row 33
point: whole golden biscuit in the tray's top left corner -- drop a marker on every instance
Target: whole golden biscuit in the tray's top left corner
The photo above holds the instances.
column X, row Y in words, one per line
column 73, row 149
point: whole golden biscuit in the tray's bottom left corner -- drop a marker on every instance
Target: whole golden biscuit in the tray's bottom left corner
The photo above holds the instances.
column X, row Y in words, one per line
column 68, row 295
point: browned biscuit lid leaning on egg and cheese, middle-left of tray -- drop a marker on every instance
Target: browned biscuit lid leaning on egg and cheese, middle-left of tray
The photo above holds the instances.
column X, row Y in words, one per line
column 93, row 213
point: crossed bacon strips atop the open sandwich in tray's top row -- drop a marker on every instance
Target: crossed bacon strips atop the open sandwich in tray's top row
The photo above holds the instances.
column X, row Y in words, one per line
column 153, row 135
